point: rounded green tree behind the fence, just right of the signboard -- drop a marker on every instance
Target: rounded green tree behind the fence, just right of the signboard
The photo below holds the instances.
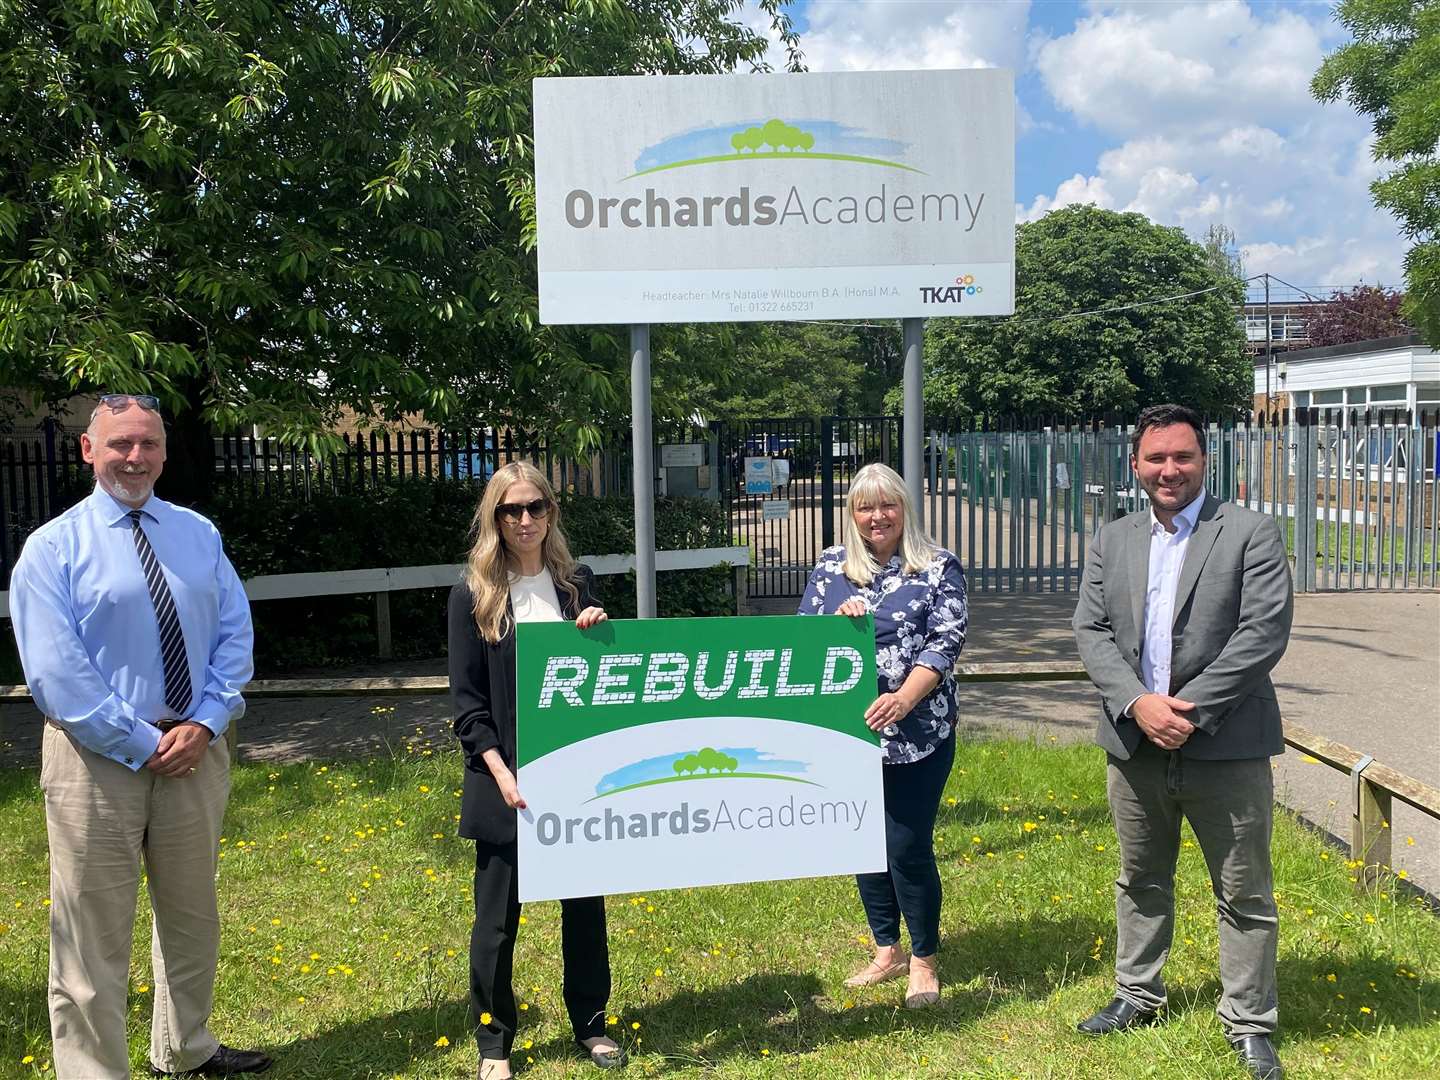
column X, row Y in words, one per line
column 1112, row 313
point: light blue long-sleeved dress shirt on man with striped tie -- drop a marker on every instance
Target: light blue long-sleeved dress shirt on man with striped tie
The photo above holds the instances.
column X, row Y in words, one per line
column 87, row 627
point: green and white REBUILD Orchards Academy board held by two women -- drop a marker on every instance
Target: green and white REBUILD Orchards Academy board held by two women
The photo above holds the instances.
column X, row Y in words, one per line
column 696, row 752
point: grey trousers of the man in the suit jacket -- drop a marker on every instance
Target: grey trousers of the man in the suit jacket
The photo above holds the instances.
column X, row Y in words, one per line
column 1230, row 809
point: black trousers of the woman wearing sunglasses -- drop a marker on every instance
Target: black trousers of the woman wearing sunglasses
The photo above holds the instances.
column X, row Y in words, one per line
column 584, row 948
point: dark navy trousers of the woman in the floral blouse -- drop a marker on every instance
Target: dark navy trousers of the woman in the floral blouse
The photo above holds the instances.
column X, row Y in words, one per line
column 911, row 885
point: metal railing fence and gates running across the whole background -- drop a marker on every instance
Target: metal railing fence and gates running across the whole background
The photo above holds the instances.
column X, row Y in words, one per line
column 1353, row 492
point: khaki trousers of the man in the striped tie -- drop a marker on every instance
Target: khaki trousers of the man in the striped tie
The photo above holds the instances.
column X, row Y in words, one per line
column 103, row 820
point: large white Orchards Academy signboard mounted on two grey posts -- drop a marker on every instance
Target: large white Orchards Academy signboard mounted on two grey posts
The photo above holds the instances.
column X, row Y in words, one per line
column 744, row 198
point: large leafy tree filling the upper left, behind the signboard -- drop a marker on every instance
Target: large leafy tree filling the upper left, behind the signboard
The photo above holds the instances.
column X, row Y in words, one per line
column 270, row 212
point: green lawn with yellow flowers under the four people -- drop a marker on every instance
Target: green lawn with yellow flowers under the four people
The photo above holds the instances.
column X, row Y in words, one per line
column 346, row 906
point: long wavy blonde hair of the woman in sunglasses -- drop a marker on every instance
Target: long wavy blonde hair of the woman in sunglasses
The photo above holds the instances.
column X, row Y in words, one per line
column 489, row 568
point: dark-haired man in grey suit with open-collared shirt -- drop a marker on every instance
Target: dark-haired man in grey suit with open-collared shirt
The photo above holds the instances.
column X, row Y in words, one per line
column 1184, row 611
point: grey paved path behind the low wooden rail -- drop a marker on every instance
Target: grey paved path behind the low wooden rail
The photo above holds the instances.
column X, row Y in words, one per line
column 1363, row 669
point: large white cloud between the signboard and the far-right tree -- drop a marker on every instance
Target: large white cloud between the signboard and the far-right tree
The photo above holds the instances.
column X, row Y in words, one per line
column 1218, row 125
